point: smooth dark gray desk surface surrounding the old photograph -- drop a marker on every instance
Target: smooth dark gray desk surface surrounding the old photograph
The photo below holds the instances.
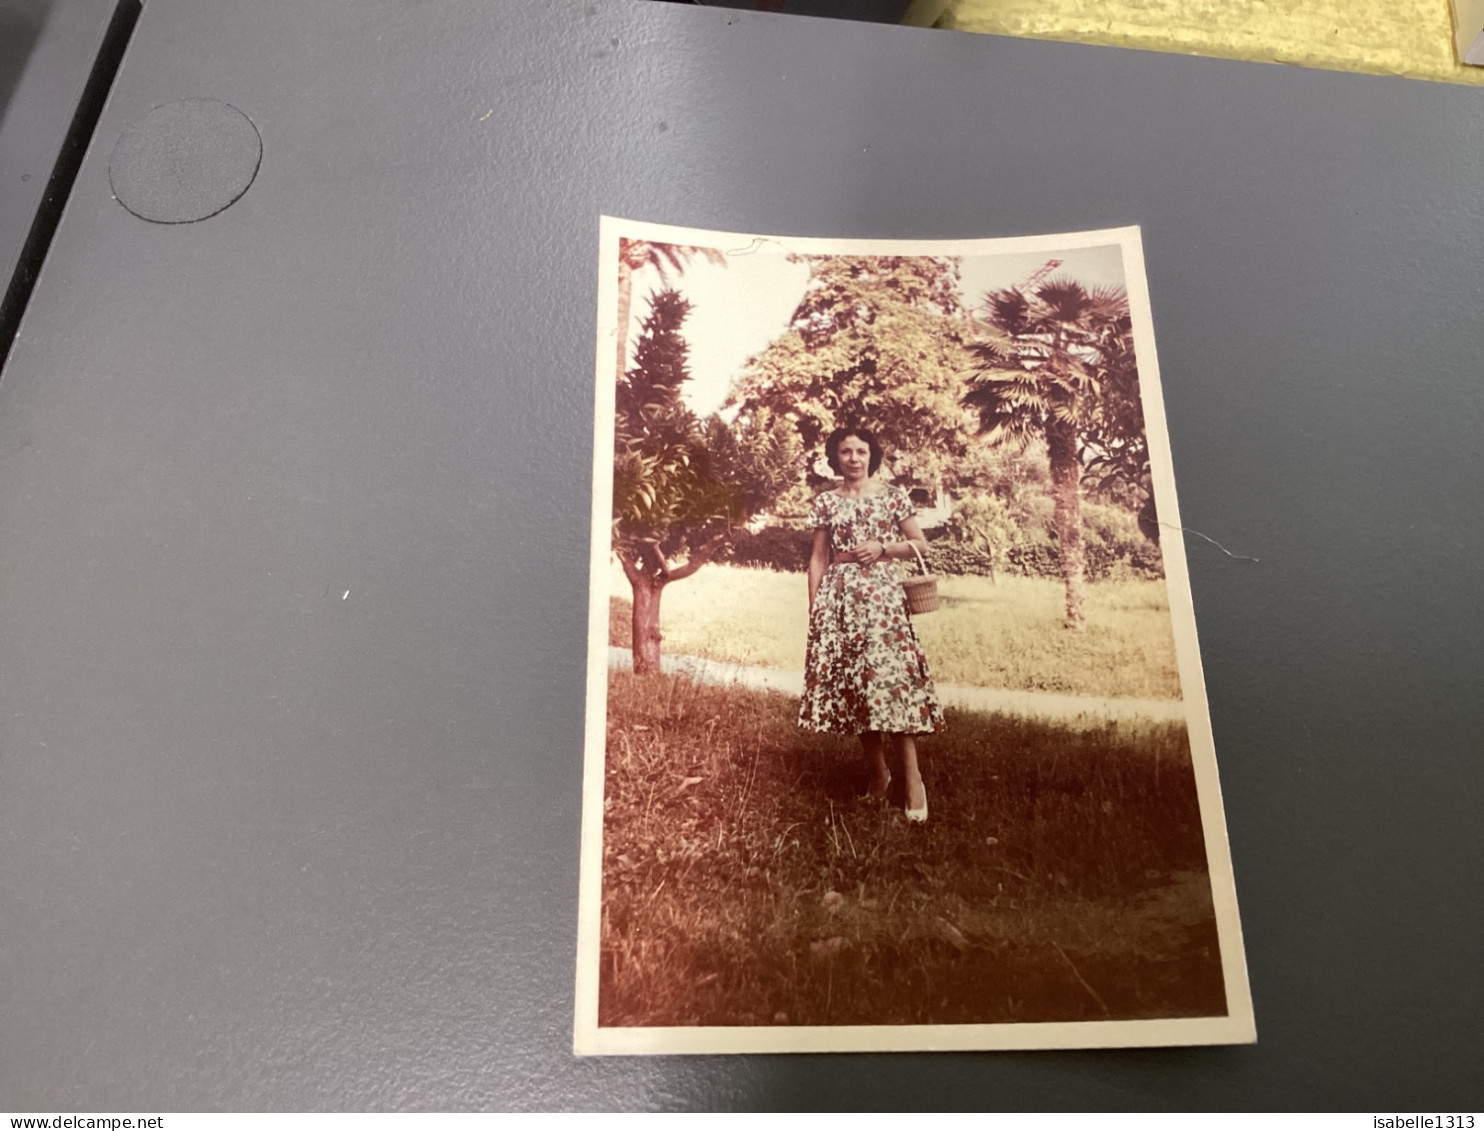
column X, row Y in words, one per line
column 268, row 848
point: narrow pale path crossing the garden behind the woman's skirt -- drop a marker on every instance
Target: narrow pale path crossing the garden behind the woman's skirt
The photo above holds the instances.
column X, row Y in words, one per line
column 1034, row 704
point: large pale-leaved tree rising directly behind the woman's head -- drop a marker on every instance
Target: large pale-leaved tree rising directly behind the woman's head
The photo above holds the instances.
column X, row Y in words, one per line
column 875, row 341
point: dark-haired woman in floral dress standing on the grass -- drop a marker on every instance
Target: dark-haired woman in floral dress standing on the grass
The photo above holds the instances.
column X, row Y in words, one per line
column 864, row 672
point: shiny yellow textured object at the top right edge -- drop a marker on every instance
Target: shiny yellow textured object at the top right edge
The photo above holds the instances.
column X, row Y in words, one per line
column 1412, row 38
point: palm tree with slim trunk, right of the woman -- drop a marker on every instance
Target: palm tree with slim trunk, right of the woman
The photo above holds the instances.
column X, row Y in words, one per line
column 1059, row 364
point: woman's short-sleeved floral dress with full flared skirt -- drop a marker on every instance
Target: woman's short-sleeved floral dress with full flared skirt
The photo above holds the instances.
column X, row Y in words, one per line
column 864, row 669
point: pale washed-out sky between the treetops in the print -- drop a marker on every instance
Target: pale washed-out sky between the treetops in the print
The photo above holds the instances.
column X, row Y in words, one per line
column 737, row 311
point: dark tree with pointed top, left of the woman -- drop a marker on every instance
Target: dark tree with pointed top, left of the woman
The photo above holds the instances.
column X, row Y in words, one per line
column 670, row 499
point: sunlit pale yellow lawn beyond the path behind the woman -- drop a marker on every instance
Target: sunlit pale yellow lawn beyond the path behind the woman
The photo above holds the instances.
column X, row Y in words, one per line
column 985, row 636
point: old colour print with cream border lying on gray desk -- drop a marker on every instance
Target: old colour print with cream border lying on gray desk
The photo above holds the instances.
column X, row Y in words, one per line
column 897, row 734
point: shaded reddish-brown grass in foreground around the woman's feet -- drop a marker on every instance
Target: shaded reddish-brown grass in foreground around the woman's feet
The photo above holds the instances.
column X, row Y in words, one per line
column 1062, row 876
